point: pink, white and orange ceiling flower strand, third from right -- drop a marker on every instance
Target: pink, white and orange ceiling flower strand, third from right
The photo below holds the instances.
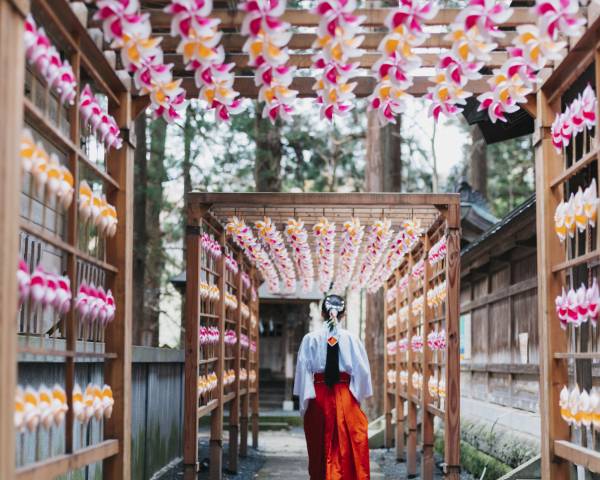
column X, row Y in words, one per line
column 394, row 70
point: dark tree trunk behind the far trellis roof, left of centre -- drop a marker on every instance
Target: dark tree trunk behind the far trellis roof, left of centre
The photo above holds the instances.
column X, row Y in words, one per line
column 267, row 166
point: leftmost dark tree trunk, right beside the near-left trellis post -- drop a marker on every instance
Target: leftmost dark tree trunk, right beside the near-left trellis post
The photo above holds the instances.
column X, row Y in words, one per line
column 140, row 237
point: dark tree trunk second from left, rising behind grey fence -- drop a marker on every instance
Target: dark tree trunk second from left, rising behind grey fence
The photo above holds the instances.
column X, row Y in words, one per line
column 155, row 260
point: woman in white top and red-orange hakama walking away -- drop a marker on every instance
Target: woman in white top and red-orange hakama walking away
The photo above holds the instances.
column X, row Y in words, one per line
column 332, row 378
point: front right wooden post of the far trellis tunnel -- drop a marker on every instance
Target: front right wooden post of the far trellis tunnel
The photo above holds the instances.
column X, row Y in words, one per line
column 452, row 410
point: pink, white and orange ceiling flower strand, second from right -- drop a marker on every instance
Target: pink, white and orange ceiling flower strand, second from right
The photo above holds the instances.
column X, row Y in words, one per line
column 473, row 35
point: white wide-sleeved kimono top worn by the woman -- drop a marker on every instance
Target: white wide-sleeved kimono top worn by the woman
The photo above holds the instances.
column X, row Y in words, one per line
column 312, row 356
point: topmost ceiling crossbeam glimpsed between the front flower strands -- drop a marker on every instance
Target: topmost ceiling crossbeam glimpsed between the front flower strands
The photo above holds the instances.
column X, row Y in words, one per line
column 375, row 17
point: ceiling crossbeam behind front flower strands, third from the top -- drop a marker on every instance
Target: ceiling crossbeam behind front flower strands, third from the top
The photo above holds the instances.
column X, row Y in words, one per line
column 305, row 60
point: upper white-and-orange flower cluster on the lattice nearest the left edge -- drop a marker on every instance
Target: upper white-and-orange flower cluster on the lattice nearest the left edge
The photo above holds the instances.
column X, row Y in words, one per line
column 47, row 172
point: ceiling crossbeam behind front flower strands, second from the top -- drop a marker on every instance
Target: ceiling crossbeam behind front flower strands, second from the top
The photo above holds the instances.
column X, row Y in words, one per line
column 233, row 42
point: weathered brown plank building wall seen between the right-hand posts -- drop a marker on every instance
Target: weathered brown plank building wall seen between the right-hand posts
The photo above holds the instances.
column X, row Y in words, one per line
column 499, row 292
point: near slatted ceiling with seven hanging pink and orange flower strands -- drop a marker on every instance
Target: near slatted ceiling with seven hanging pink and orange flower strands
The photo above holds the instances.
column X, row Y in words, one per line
column 337, row 51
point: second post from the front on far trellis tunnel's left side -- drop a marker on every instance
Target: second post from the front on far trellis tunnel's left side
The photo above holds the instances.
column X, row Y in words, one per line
column 216, row 419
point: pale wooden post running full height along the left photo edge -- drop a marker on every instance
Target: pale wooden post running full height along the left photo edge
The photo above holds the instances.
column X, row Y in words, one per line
column 12, row 66
